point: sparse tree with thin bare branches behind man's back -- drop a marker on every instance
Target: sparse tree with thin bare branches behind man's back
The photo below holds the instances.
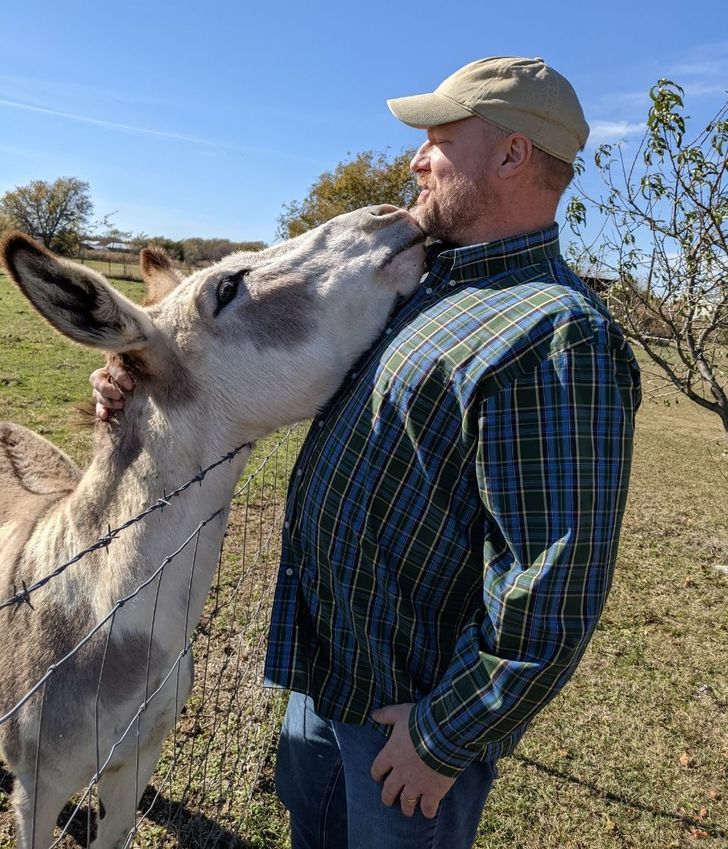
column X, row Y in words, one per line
column 664, row 245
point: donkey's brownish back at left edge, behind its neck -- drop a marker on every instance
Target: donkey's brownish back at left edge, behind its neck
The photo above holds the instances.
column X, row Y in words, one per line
column 31, row 466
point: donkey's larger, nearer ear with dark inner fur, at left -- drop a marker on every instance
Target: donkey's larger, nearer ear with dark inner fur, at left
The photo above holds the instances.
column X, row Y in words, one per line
column 74, row 299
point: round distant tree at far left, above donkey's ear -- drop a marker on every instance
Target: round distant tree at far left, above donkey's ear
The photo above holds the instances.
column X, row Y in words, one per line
column 54, row 213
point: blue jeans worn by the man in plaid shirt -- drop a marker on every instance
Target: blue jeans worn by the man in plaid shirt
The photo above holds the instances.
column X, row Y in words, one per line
column 322, row 777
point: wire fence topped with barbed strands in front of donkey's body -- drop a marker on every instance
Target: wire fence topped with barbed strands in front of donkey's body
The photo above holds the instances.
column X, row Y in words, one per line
column 215, row 768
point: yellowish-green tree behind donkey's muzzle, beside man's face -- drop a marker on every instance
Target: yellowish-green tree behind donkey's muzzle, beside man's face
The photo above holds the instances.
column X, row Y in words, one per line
column 367, row 179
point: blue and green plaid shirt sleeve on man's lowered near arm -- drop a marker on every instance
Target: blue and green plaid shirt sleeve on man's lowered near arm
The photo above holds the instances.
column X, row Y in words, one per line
column 552, row 467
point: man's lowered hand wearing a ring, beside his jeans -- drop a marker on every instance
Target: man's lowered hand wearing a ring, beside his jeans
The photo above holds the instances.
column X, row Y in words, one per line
column 404, row 773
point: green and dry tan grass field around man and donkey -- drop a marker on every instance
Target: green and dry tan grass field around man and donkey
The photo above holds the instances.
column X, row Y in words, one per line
column 634, row 752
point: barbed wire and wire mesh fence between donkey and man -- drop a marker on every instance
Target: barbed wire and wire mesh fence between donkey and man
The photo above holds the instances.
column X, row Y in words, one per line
column 226, row 751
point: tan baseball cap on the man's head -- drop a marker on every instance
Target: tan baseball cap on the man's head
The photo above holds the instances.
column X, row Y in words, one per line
column 518, row 95
